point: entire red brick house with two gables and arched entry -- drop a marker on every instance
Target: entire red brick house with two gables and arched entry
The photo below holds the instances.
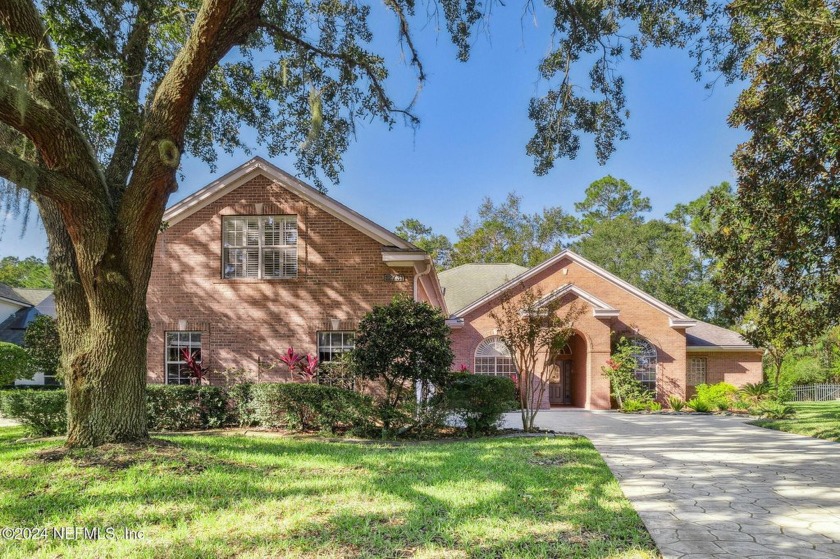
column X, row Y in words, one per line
column 258, row 261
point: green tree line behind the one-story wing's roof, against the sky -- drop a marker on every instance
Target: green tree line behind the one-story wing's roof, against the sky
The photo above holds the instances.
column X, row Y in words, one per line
column 610, row 226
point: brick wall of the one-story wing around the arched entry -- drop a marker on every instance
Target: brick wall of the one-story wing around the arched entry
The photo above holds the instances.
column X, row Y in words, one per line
column 636, row 315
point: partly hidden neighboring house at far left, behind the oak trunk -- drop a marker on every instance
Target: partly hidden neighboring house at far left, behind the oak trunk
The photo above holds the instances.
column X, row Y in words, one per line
column 19, row 307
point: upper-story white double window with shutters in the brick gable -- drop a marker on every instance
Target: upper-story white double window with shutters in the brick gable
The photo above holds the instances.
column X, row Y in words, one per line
column 259, row 246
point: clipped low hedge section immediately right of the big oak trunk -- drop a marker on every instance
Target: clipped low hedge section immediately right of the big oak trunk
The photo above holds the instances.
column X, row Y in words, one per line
column 185, row 407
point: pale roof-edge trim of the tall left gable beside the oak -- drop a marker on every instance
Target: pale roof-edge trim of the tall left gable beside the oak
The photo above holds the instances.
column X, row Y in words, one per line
column 259, row 166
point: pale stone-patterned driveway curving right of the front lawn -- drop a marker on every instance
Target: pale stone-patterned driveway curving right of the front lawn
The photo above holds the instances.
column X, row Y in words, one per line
column 710, row 486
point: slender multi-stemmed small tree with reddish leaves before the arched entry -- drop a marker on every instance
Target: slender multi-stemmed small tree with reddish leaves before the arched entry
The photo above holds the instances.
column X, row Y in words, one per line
column 535, row 332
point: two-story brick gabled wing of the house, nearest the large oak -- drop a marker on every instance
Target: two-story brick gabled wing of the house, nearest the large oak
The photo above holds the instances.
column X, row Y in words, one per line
column 257, row 262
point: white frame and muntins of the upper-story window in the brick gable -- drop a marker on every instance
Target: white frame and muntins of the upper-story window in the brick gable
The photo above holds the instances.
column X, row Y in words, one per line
column 286, row 247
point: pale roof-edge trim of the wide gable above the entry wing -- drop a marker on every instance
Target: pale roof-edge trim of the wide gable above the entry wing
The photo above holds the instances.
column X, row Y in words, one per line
column 676, row 318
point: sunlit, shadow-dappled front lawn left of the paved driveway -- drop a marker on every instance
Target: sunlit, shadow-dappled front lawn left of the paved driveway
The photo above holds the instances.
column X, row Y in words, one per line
column 236, row 496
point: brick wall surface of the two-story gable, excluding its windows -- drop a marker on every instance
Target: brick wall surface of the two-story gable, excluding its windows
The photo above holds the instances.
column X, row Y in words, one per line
column 245, row 320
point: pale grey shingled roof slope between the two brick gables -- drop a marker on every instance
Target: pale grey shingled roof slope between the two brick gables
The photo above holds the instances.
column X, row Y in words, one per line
column 464, row 284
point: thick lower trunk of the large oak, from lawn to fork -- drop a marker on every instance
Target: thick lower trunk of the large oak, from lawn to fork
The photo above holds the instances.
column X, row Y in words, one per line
column 103, row 328
